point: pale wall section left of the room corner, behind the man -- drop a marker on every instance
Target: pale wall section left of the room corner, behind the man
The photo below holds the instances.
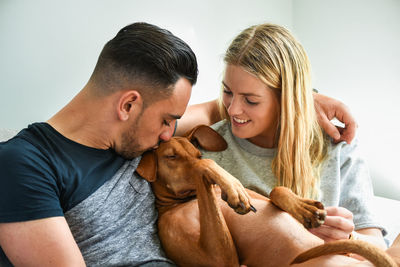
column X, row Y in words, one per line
column 48, row 48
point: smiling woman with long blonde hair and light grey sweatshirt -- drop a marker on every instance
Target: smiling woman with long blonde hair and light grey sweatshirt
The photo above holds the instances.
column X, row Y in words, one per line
column 274, row 137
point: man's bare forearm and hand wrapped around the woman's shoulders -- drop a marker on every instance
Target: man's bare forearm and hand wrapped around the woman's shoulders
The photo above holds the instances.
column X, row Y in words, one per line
column 326, row 108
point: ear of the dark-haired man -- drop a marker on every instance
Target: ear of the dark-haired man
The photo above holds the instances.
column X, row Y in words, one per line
column 129, row 102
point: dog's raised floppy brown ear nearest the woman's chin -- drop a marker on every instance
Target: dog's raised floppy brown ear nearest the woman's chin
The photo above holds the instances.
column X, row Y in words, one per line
column 207, row 138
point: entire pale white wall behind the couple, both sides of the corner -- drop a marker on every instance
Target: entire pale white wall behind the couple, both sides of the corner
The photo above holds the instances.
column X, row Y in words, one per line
column 48, row 49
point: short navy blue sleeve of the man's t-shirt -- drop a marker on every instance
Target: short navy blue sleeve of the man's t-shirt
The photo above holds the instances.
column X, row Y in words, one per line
column 28, row 188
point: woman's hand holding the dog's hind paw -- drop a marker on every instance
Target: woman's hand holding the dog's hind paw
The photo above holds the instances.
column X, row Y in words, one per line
column 338, row 225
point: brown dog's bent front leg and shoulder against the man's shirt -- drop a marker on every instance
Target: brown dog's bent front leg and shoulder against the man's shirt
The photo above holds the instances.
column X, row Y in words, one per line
column 194, row 233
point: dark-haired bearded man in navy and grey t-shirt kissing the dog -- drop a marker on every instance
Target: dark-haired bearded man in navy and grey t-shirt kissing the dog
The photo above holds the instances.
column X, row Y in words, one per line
column 69, row 194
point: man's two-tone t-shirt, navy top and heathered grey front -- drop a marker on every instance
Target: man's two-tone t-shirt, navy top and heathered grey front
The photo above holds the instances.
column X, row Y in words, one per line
column 109, row 209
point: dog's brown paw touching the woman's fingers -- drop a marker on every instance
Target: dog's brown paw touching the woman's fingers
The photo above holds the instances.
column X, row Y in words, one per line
column 310, row 213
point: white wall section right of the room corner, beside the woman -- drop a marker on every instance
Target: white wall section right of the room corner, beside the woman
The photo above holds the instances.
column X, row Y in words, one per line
column 354, row 48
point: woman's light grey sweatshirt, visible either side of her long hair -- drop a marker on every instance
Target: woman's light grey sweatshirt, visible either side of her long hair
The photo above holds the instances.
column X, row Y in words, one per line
column 345, row 179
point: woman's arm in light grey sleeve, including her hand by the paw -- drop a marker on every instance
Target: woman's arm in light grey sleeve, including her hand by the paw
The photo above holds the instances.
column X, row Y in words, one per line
column 347, row 175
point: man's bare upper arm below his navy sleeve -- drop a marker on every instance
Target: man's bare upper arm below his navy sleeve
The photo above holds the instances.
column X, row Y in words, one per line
column 43, row 242
